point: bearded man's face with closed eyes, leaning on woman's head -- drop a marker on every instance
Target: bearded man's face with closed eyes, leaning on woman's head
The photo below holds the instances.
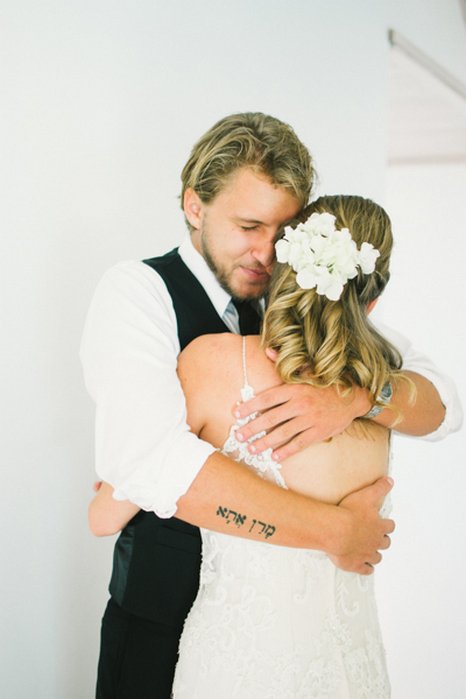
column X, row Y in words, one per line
column 235, row 232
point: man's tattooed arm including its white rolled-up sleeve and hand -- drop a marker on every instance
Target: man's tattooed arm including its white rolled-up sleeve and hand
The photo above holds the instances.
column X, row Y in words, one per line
column 146, row 451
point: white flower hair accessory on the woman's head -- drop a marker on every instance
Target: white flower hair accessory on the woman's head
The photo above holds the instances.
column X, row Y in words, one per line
column 324, row 257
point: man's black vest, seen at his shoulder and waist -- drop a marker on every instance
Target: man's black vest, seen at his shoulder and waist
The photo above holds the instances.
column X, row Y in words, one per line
column 156, row 561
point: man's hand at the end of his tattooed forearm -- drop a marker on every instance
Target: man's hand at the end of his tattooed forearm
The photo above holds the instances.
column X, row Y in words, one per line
column 365, row 532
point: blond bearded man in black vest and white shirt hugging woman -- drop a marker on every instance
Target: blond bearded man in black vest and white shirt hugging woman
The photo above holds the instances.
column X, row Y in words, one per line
column 245, row 177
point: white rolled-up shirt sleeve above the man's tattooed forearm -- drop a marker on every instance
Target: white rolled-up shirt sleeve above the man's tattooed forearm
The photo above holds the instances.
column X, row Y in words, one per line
column 129, row 351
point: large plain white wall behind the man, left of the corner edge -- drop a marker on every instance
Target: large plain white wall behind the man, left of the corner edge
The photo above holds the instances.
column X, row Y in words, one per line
column 102, row 103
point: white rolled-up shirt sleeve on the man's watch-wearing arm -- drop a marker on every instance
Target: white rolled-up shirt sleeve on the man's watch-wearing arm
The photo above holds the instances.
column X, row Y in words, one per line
column 418, row 362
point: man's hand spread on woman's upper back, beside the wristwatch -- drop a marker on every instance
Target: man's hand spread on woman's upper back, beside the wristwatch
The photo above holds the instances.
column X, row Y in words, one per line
column 295, row 415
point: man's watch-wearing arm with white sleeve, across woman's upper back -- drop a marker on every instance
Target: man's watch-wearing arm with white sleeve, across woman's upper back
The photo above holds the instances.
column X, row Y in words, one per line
column 297, row 415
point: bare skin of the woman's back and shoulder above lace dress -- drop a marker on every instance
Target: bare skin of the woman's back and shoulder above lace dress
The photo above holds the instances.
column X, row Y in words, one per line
column 212, row 374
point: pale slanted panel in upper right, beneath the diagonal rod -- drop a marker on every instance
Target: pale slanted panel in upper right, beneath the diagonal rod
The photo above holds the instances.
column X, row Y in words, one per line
column 427, row 109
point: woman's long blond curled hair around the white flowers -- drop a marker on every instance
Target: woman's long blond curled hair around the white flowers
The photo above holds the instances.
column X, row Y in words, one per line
column 323, row 342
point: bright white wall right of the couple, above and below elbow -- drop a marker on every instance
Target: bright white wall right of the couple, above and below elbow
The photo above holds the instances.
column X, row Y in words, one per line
column 421, row 584
